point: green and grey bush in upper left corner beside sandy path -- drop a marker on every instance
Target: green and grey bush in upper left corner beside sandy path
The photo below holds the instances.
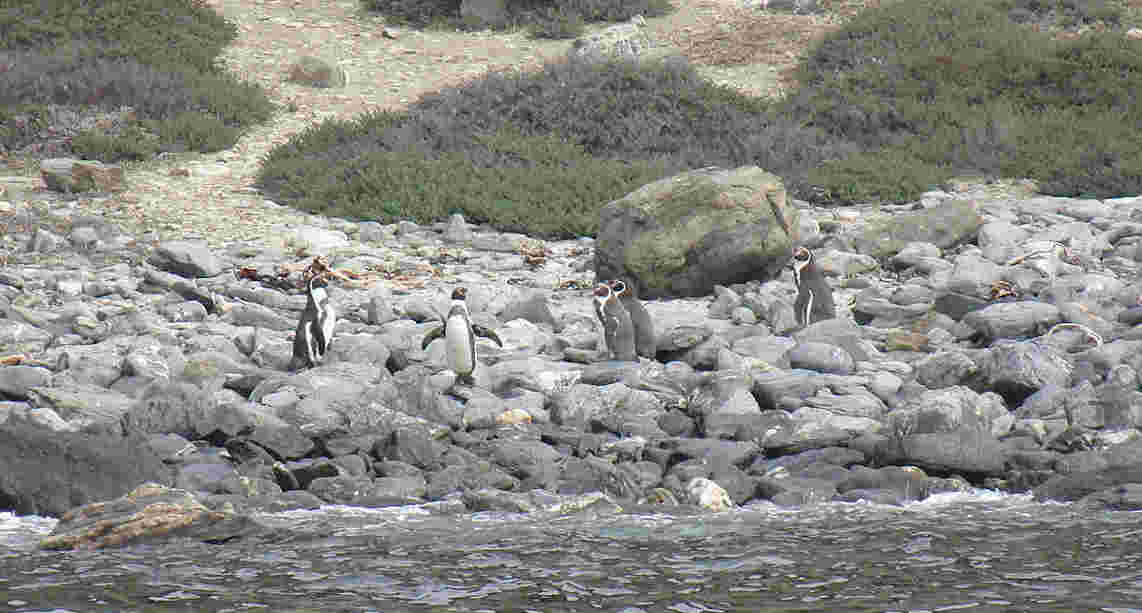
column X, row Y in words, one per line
column 156, row 57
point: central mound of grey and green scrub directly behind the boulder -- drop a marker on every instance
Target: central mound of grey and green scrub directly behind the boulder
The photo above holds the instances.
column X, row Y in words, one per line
column 537, row 152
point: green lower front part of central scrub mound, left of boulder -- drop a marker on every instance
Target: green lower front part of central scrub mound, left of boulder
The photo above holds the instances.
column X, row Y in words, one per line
column 532, row 184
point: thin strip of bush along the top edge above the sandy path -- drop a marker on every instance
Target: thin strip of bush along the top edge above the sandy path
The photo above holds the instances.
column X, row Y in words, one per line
column 544, row 19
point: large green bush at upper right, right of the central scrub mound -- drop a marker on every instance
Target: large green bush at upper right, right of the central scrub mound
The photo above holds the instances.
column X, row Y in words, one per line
column 950, row 87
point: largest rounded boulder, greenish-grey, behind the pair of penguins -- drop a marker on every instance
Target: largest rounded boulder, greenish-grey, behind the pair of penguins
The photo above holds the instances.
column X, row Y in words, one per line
column 685, row 235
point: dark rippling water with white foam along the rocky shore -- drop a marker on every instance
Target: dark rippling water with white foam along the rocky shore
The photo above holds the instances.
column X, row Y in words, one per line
column 962, row 552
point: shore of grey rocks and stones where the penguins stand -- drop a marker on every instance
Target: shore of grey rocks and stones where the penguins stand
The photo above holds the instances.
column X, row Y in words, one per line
column 983, row 340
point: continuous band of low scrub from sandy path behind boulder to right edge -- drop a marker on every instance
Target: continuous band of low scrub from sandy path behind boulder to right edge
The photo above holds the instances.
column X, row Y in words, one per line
column 903, row 98
